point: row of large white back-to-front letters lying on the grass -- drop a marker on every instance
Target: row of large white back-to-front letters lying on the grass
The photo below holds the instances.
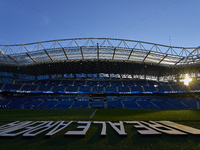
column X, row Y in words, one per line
column 151, row 128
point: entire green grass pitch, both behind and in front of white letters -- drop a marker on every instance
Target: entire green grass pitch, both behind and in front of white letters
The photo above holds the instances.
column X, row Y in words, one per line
column 93, row 138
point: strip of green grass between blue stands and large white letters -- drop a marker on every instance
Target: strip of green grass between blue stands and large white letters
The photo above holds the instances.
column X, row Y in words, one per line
column 101, row 114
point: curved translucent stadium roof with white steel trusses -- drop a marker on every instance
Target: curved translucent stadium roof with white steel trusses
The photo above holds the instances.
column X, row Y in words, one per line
column 97, row 55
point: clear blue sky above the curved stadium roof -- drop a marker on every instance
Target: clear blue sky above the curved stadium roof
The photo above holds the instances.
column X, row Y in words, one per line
column 168, row 22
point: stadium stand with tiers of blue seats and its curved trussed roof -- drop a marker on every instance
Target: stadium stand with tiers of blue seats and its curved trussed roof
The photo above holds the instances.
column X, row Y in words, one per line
column 98, row 72
